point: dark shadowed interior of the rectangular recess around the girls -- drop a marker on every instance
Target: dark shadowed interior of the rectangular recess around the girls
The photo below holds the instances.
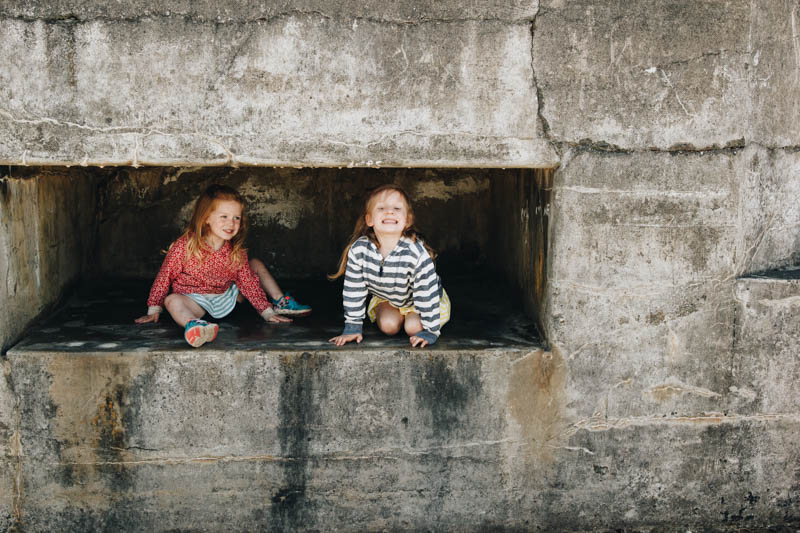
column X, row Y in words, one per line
column 489, row 227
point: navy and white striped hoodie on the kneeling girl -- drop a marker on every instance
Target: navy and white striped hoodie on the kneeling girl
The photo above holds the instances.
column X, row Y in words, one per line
column 406, row 277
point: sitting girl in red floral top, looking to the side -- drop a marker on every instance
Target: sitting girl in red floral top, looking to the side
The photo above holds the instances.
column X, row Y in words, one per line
column 207, row 268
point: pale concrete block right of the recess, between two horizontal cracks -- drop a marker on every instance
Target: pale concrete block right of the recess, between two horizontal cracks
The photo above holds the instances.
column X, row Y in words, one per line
column 641, row 274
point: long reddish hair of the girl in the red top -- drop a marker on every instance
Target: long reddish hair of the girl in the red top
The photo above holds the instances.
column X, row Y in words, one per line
column 197, row 229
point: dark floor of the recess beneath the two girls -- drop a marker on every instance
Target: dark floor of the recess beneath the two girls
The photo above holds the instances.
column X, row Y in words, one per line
column 100, row 319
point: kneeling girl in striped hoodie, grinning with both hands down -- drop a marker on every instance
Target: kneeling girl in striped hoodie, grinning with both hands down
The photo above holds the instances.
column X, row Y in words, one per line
column 387, row 260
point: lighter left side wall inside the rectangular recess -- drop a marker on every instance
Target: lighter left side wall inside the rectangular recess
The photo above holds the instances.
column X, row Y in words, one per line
column 45, row 225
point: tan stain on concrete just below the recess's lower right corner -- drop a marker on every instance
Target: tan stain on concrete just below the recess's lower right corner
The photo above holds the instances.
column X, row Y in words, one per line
column 536, row 401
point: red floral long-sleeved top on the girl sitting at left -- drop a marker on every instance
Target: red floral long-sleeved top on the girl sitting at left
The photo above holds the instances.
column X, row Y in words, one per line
column 214, row 275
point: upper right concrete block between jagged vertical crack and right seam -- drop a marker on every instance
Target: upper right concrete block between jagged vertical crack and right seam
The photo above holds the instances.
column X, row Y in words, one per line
column 661, row 75
